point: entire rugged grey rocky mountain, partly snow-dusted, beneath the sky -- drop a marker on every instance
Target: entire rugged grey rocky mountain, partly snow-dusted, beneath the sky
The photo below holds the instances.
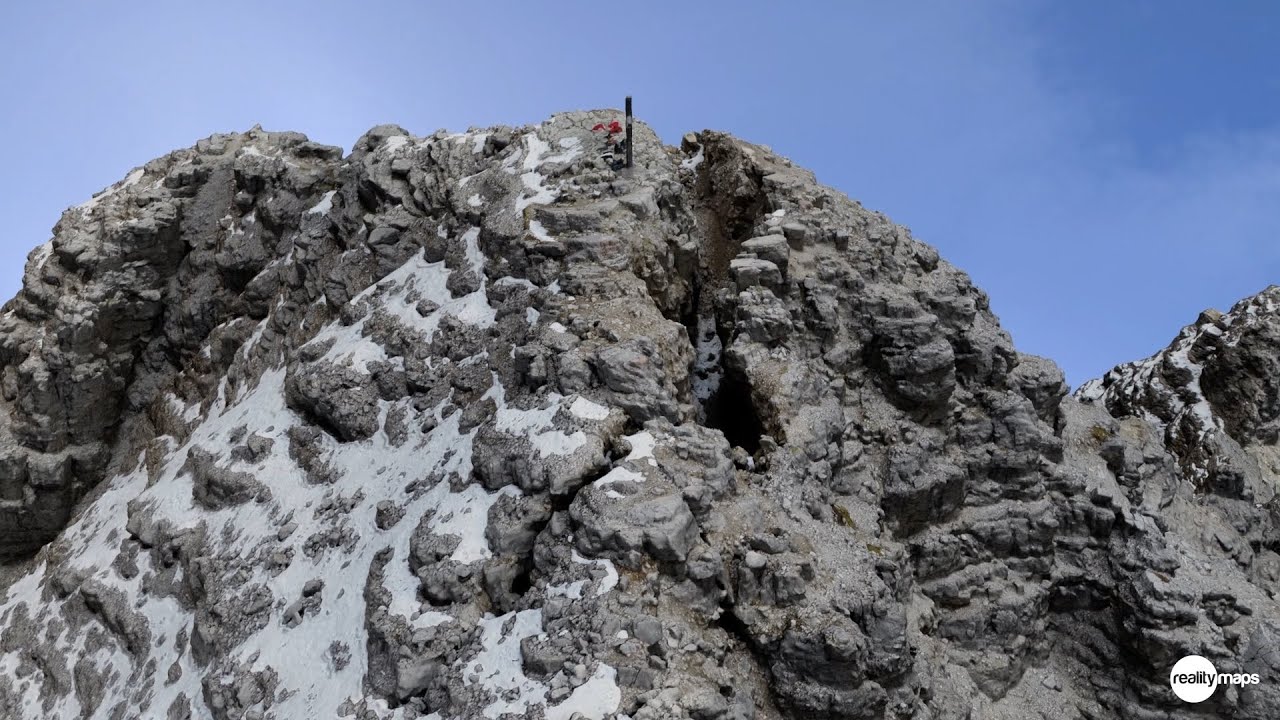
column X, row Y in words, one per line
column 476, row 425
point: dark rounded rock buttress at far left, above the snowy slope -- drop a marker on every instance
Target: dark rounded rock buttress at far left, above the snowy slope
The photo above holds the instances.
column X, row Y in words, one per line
column 125, row 297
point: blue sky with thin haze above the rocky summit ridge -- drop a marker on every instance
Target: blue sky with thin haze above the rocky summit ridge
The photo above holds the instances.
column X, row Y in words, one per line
column 1105, row 171
